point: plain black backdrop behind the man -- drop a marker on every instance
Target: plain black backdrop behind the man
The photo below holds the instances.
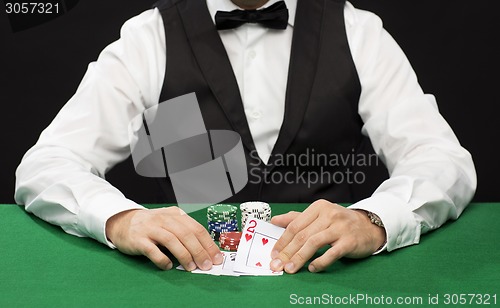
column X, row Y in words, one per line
column 452, row 46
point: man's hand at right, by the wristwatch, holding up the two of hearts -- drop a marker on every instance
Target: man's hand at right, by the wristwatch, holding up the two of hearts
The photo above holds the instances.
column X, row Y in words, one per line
column 350, row 233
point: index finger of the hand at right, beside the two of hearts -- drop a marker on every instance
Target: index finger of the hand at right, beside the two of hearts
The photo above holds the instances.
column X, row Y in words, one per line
column 299, row 223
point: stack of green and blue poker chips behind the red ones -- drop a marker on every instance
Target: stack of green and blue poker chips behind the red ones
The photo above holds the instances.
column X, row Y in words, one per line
column 221, row 218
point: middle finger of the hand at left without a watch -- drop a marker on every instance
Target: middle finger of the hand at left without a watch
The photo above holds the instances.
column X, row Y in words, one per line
column 188, row 239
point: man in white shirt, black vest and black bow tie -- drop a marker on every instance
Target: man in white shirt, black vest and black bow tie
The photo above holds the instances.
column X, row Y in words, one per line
column 324, row 80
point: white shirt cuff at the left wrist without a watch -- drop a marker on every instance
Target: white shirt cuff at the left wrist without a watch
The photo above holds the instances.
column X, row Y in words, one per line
column 92, row 218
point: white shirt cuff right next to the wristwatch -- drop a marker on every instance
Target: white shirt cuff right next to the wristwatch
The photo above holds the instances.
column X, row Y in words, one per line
column 401, row 227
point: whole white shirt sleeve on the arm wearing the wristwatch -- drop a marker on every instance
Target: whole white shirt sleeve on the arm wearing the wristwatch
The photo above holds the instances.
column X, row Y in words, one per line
column 432, row 177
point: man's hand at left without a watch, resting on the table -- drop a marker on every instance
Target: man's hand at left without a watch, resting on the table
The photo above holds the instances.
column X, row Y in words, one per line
column 140, row 232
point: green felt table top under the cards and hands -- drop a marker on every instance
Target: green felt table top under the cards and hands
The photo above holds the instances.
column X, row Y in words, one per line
column 41, row 266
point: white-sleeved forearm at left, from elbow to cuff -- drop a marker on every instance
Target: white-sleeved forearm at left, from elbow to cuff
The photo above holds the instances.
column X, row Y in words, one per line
column 59, row 187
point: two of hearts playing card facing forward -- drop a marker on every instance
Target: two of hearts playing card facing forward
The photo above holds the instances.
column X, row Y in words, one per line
column 254, row 251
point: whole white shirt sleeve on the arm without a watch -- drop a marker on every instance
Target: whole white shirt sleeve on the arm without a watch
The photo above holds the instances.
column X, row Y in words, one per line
column 61, row 178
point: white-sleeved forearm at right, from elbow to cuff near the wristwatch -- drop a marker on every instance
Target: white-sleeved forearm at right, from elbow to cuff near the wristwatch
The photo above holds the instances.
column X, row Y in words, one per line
column 411, row 204
